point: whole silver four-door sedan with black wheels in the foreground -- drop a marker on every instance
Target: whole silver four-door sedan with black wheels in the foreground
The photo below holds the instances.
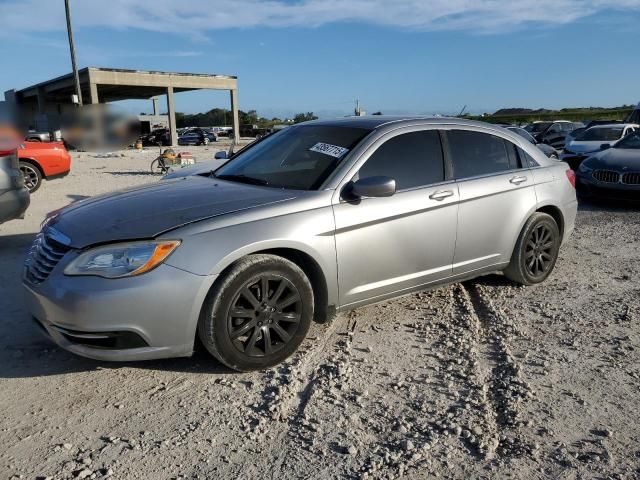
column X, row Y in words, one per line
column 315, row 219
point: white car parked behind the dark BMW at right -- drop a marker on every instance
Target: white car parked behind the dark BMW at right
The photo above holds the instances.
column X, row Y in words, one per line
column 593, row 140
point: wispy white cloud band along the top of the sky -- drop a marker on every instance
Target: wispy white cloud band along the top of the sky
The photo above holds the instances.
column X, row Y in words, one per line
column 196, row 18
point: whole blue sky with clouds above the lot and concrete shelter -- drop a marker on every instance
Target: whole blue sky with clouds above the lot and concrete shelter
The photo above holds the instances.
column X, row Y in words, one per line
column 407, row 56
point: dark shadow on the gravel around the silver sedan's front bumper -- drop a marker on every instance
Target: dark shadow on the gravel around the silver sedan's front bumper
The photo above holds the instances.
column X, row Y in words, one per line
column 25, row 352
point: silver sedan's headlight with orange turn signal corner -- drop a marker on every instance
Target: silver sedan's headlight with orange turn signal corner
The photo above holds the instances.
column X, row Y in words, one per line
column 122, row 259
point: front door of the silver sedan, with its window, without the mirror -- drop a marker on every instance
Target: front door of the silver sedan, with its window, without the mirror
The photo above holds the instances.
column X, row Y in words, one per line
column 389, row 245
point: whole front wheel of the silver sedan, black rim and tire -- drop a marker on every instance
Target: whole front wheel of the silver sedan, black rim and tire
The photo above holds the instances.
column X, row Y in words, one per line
column 258, row 314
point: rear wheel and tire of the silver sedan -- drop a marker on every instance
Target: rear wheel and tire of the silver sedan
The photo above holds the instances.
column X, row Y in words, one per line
column 536, row 250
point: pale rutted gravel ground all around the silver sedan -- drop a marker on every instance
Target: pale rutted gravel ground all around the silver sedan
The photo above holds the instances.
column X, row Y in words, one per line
column 482, row 379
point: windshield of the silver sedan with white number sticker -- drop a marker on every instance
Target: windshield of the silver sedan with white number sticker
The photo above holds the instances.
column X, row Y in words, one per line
column 300, row 157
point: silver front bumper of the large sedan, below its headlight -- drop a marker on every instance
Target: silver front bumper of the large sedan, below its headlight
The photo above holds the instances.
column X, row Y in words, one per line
column 151, row 316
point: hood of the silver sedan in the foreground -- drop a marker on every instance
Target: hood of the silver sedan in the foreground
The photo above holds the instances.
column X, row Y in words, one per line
column 150, row 210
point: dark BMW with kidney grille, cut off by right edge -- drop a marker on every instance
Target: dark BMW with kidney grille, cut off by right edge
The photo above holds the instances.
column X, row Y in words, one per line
column 612, row 173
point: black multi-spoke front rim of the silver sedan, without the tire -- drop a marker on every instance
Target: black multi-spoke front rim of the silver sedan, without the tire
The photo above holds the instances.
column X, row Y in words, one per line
column 264, row 315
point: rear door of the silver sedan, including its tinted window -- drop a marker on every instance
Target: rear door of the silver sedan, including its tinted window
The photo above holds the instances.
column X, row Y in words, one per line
column 496, row 193
